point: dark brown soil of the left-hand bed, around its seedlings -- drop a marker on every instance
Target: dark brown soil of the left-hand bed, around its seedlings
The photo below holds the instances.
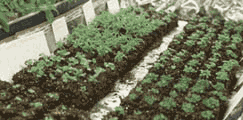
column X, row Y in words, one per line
column 31, row 98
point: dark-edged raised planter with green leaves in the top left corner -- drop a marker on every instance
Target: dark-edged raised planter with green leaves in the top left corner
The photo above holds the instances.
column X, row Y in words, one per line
column 18, row 23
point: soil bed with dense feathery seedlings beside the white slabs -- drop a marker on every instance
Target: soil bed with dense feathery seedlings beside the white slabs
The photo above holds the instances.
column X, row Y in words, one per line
column 68, row 84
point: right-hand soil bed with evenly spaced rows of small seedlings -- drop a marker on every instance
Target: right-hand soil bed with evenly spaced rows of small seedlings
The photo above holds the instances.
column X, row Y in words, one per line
column 193, row 79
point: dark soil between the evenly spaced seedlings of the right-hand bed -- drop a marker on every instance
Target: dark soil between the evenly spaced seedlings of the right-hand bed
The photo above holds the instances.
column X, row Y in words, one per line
column 177, row 113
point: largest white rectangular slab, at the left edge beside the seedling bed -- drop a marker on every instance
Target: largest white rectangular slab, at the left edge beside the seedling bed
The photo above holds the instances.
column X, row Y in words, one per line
column 17, row 52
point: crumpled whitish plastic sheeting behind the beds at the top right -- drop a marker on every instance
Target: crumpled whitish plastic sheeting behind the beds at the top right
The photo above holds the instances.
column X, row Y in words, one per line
column 229, row 9
